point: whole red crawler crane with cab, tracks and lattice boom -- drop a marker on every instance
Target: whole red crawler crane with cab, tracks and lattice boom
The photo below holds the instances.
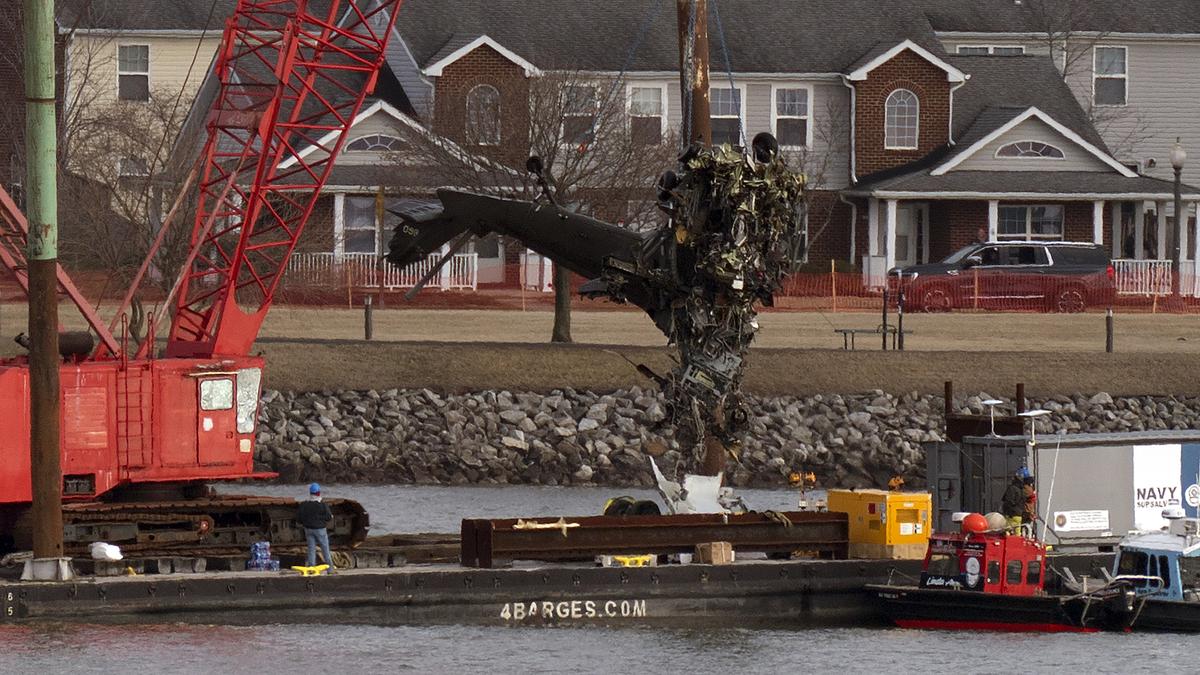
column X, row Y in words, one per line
column 290, row 75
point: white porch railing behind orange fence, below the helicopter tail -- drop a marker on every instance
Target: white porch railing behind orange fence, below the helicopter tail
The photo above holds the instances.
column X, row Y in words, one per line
column 367, row 271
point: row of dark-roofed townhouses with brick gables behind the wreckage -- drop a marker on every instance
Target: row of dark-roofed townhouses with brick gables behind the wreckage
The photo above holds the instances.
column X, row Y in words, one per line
column 921, row 124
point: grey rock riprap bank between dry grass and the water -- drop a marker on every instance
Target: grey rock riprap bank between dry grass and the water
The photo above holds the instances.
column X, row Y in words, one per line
column 569, row 438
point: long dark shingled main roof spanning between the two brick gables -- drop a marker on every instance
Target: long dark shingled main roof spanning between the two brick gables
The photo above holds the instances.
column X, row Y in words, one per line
column 784, row 37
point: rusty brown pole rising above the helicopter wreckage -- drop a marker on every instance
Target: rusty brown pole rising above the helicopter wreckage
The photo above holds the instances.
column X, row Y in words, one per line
column 693, row 20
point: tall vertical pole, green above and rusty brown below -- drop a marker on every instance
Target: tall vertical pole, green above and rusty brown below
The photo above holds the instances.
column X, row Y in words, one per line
column 41, row 207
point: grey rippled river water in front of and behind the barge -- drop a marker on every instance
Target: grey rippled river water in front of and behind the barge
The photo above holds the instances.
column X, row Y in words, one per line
column 274, row 648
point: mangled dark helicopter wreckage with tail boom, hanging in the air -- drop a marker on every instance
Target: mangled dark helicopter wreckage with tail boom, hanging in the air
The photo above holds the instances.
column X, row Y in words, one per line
column 735, row 231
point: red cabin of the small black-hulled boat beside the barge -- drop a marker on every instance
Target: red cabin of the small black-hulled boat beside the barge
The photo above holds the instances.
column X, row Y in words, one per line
column 991, row 563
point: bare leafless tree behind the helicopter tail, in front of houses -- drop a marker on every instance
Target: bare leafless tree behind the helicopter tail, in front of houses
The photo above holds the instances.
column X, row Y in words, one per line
column 601, row 159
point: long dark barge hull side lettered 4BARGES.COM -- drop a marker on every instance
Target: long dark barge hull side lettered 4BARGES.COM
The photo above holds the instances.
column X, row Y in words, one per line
column 778, row 594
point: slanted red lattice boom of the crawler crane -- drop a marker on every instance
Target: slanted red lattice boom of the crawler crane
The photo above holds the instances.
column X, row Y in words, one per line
column 292, row 75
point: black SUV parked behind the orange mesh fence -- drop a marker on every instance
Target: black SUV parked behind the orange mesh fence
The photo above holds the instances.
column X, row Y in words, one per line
column 1012, row 276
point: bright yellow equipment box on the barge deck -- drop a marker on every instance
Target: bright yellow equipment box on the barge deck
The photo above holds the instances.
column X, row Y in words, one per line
column 885, row 524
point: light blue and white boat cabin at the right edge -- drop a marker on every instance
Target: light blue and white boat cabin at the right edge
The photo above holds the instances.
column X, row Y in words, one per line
column 1163, row 565
